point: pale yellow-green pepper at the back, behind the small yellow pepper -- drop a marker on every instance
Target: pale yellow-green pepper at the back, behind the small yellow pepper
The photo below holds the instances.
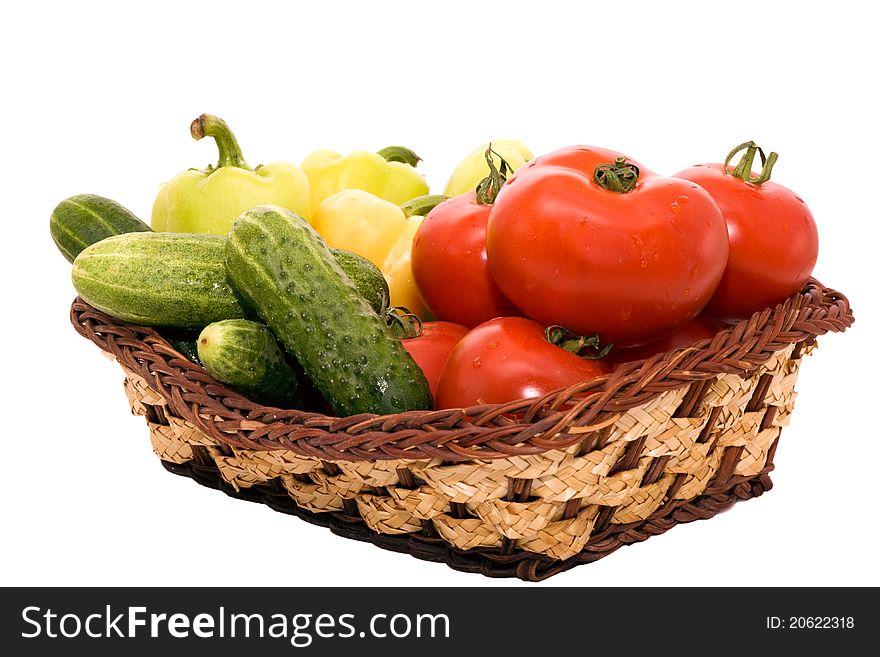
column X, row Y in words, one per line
column 390, row 174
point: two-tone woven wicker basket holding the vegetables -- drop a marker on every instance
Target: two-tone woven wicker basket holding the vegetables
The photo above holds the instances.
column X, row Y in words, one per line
column 526, row 489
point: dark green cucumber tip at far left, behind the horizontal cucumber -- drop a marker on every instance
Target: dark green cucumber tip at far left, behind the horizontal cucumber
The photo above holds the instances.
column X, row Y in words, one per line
column 82, row 220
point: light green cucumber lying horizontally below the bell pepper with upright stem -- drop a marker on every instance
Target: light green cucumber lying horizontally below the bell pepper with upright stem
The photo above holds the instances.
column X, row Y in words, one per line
column 158, row 279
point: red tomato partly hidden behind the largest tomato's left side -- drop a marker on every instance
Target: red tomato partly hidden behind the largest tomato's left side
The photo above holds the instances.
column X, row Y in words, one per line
column 449, row 264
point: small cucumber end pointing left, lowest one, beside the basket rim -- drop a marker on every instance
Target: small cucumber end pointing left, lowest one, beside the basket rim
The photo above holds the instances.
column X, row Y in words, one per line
column 245, row 355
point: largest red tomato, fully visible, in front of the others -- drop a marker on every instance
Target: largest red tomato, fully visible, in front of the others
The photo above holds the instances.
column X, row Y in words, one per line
column 631, row 265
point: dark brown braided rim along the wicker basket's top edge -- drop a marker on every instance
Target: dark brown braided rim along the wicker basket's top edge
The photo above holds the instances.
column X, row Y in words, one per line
column 484, row 432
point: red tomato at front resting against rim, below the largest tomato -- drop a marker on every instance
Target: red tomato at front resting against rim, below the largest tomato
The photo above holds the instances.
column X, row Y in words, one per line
column 506, row 359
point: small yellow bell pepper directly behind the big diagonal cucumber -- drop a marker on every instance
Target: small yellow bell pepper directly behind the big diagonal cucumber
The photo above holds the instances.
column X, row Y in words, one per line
column 382, row 232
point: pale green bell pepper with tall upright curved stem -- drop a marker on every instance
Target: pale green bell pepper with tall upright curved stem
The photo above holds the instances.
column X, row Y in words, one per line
column 210, row 200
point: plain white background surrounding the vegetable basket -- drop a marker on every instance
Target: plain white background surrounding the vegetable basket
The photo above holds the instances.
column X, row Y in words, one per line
column 98, row 98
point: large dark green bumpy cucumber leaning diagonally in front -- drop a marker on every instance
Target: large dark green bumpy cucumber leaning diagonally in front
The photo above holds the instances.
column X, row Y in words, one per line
column 285, row 271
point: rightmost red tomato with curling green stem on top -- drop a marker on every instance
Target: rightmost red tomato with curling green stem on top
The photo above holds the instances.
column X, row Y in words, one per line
column 773, row 238
